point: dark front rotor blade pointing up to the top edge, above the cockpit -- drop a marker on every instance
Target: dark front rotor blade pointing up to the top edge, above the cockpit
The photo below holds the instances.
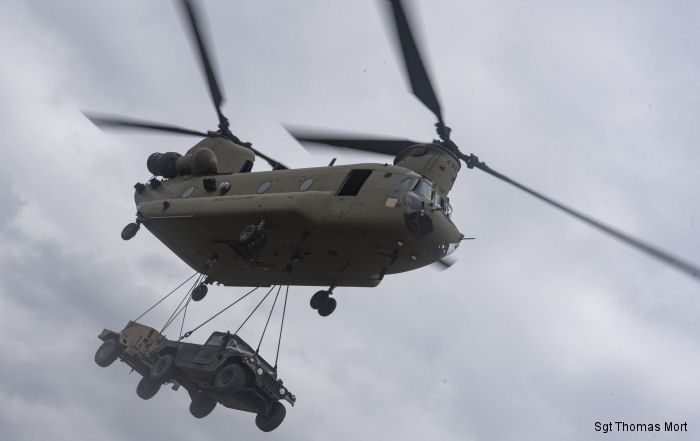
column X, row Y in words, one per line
column 415, row 68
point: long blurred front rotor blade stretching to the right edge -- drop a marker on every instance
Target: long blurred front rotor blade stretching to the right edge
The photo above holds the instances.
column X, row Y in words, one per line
column 646, row 248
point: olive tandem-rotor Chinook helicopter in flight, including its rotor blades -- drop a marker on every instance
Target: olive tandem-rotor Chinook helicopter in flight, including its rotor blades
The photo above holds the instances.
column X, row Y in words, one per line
column 338, row 225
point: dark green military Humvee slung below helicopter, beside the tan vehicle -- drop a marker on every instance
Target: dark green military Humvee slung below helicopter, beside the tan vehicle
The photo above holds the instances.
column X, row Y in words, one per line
column 228, row 370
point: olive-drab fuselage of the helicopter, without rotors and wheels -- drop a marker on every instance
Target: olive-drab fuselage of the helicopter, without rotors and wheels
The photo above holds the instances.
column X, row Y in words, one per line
column 345, row 225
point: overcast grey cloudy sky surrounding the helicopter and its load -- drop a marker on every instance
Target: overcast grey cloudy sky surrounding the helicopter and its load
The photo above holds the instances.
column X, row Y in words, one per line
column 542, row 328
